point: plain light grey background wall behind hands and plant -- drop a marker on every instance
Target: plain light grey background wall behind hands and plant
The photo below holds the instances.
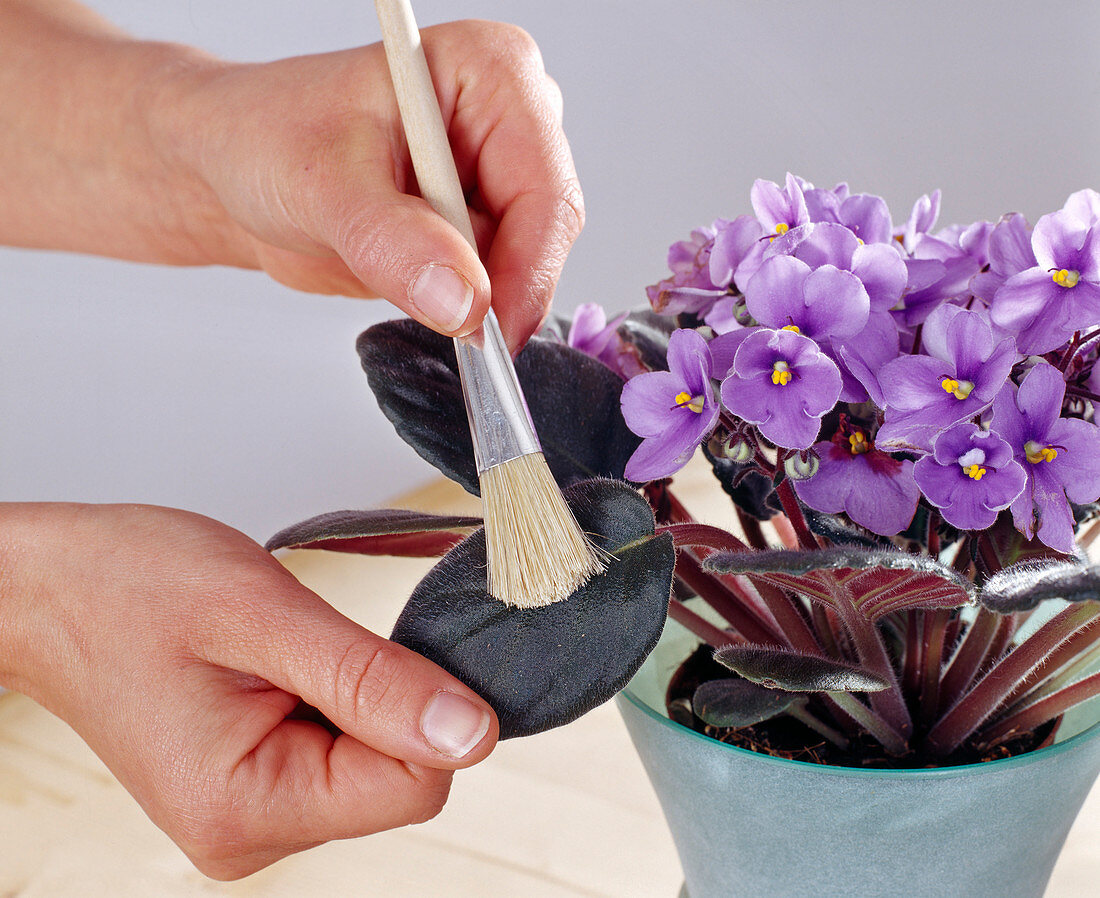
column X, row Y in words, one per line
column 222, row 392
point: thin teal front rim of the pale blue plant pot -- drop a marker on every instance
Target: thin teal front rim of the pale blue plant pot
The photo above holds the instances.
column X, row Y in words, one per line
column 872, row 773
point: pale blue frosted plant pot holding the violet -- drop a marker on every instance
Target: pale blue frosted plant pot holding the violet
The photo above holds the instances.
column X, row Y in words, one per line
column 751, row 825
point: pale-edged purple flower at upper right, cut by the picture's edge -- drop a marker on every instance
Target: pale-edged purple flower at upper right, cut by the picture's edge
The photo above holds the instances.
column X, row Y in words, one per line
column 1046, row 304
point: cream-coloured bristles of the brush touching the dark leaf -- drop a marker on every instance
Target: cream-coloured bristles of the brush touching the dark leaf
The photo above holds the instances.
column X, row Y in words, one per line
column 537, row 553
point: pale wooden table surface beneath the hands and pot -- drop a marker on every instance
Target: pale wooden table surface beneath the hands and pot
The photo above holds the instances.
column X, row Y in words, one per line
column 565, row 814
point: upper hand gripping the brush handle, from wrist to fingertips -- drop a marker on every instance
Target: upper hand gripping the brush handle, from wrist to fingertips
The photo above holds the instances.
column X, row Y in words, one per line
column 307, row 158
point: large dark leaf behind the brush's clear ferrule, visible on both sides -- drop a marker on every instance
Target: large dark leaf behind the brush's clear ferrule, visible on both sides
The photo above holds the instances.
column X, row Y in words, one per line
column 574, row 401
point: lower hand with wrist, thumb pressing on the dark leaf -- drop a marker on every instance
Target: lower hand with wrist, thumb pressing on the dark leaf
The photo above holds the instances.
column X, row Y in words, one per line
column 200, row 671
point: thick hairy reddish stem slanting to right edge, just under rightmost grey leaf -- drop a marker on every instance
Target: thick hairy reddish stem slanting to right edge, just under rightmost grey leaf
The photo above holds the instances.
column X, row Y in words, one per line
column 1000, row 681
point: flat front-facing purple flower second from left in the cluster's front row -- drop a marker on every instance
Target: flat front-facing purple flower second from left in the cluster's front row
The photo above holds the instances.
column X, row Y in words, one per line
column 783, row 384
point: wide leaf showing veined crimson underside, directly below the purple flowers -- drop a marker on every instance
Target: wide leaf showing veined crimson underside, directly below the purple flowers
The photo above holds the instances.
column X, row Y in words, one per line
column 878, row 583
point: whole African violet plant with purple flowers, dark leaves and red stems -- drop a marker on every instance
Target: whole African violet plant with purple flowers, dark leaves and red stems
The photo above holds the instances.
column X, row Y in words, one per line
column 911, row 411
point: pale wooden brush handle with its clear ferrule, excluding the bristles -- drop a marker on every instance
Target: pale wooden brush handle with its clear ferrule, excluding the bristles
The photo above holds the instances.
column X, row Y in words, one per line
column 500, row 423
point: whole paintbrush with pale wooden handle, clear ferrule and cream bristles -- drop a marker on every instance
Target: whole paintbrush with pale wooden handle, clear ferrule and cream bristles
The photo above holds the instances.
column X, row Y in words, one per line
column 536, row 551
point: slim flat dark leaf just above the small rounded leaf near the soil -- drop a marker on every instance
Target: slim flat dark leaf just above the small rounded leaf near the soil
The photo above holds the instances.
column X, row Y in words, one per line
column 797, row 672
